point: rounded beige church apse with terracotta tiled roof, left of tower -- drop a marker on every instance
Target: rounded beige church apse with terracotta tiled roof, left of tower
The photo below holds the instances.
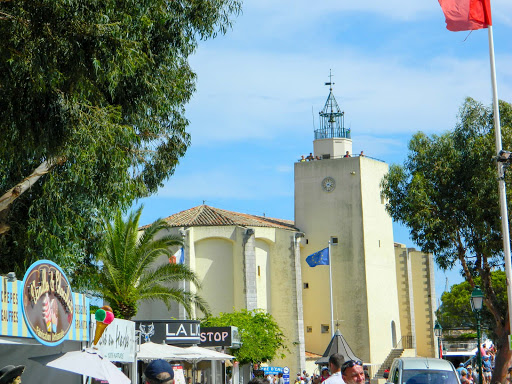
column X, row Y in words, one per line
column 242, row 261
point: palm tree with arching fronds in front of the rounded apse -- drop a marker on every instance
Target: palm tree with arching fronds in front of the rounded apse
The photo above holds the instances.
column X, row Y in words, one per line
column 129, row 272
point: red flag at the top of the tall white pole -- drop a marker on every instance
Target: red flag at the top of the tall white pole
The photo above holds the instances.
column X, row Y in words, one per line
column 466, row 15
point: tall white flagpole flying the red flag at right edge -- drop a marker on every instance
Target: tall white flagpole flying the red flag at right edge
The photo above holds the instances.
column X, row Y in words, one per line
column 501, row 176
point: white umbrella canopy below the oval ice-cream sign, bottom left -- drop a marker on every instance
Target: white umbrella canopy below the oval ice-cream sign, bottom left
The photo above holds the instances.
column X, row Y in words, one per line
column 86, row 362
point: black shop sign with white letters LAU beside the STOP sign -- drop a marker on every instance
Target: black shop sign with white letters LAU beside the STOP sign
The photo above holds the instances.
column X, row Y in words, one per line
column 172, row 332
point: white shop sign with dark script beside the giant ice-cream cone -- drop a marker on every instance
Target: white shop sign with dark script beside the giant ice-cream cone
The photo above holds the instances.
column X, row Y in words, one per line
column 118, row 340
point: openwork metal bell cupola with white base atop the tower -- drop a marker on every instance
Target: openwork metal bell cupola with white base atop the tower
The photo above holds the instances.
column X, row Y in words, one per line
column 332, row 139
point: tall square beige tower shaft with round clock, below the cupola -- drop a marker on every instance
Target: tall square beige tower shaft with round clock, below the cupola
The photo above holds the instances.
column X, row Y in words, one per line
column 363, row 265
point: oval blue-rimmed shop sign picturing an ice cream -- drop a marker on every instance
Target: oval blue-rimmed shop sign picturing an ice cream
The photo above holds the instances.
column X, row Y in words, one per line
column 47, row 302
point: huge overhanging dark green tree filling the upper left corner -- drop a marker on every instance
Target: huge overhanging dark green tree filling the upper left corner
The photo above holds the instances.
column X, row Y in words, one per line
column 92, row 115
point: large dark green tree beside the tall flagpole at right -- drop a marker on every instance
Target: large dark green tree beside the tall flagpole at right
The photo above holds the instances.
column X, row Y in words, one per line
column 446, row 193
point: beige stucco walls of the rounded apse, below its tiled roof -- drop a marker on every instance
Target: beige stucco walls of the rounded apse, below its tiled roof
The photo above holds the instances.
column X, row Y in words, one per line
column 218, row 255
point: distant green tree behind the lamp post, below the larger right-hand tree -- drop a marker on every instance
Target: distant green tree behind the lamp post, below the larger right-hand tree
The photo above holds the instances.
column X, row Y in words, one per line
column 455, row 309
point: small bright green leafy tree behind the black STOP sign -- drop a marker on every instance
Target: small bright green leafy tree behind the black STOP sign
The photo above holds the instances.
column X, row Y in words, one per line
column 262, row 339
